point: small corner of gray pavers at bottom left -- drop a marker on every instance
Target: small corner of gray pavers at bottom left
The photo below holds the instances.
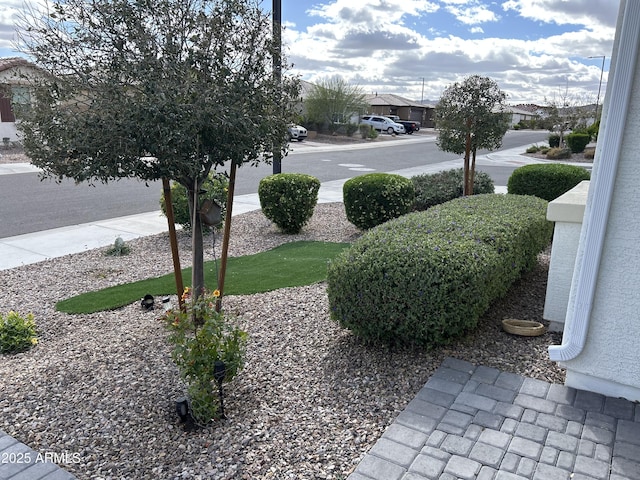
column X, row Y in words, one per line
column 19, row 462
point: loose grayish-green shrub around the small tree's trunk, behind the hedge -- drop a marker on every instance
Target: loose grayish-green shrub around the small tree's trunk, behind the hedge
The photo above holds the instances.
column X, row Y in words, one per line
column 435, row 188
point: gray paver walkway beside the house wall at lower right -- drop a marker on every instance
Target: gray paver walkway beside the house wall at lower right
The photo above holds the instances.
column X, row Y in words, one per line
column 475, row 422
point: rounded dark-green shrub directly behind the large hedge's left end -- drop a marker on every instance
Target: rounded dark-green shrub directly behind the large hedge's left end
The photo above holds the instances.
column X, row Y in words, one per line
column 375, row 198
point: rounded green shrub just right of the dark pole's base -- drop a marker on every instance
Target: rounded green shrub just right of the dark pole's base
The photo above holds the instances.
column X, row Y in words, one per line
column 288, row 199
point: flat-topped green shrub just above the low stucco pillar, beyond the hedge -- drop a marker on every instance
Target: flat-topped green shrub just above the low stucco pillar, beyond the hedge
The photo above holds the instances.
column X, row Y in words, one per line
column 547, row 180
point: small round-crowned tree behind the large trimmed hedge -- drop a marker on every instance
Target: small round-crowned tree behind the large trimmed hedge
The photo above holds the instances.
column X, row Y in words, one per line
column 470, row 115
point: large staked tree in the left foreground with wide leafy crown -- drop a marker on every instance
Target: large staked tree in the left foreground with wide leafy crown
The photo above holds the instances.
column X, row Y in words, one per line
column 153, row 89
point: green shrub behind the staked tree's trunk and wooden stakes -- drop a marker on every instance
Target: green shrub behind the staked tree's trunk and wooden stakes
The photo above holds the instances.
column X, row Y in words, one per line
column 214, row 188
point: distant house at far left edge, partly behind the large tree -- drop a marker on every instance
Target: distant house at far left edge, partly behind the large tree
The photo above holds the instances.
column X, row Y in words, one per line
column 14, row 89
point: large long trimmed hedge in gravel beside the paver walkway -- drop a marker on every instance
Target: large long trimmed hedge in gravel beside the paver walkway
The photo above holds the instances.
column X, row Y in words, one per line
column 427, row 277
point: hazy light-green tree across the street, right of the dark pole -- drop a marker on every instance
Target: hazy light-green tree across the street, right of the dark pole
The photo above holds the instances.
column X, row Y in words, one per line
column 333, row 100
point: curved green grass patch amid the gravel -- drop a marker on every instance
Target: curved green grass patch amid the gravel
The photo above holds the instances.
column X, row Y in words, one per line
column 289, row 265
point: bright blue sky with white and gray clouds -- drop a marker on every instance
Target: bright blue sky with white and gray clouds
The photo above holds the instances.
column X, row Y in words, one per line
column 536, row 50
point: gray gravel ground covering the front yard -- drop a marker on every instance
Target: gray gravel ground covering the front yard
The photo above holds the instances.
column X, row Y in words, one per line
column 308, row 405
